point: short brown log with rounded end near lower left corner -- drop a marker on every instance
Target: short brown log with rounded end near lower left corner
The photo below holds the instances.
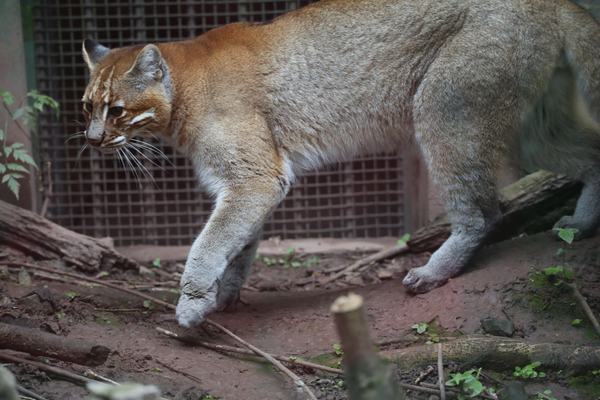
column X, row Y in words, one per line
column 44, row 344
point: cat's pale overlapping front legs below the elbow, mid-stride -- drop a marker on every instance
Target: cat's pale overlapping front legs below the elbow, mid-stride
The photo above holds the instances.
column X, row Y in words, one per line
column 219, row 258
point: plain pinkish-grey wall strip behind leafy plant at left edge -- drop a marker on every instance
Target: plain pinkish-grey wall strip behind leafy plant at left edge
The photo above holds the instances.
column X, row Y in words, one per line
column 13, row 79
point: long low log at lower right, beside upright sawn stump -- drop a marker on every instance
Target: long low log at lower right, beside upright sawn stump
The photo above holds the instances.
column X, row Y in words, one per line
column 499, row 354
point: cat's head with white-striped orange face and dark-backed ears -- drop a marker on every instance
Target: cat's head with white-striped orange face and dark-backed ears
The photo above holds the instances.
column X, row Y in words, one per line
column 129, row 94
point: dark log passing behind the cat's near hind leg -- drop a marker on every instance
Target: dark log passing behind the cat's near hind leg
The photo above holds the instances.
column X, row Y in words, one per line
column 530, row 205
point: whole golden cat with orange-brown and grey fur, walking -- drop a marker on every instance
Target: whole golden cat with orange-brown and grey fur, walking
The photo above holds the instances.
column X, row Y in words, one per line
column 254, row 105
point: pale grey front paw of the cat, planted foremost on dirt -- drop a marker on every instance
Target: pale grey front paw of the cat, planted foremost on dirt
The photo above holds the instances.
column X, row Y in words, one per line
column 195, row 303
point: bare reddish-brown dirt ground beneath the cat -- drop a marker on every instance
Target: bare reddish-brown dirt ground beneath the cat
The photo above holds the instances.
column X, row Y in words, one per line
column 282, row 317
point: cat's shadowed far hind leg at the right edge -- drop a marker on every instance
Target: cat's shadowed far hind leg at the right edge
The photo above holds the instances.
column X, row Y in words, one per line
column 560, row 135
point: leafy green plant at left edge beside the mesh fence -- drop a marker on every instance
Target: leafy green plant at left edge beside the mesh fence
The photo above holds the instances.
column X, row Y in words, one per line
column 14, row 160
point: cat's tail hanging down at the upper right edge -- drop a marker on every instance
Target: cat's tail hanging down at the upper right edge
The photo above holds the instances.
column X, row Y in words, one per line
column 581, row 35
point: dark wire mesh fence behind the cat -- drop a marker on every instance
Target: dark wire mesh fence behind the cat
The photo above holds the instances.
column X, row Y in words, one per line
column 94, row 195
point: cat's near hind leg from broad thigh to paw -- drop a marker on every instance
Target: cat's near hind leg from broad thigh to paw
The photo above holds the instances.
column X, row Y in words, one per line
column 463, row 121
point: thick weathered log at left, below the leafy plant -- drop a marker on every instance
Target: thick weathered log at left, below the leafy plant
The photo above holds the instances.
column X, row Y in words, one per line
column 45, row 240
